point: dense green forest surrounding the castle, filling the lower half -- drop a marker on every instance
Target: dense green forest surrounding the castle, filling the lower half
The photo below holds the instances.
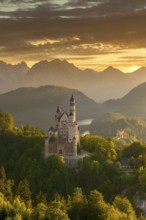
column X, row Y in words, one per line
column 32, row 187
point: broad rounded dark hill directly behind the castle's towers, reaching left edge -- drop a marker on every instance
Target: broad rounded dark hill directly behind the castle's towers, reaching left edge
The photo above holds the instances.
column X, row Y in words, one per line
column 37, row 106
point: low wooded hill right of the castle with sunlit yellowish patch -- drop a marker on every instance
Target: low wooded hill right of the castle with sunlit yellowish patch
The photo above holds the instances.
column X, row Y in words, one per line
column 118, row 125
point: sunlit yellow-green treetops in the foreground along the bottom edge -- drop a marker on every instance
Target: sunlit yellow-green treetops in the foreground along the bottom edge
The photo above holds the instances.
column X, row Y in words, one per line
column 77, row 207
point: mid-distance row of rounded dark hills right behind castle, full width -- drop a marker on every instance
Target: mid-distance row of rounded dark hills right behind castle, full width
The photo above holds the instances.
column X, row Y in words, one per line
column 37, row 106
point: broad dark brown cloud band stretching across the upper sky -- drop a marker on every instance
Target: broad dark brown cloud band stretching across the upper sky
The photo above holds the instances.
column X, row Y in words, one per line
column 126, row 30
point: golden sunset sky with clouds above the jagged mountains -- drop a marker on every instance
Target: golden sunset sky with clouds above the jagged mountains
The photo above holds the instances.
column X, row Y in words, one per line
column 90, row 34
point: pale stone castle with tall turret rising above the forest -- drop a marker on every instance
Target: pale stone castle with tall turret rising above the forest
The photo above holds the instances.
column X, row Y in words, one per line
column 66, row 136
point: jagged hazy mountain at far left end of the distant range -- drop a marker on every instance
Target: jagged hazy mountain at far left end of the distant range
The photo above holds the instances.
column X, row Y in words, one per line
column 9, row 73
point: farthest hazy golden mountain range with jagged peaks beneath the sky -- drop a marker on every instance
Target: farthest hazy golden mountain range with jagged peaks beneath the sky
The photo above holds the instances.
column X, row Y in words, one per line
column 110, row 83
